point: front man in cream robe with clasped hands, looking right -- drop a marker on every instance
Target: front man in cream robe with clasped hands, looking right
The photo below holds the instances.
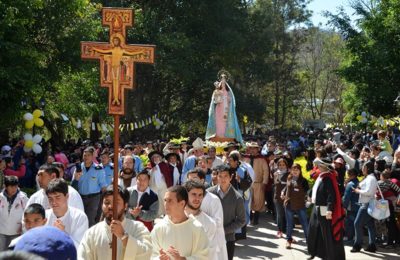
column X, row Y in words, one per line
column 177, row 235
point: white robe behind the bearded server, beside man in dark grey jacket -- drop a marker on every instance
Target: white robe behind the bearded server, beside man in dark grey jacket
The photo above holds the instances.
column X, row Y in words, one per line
column 212, row 206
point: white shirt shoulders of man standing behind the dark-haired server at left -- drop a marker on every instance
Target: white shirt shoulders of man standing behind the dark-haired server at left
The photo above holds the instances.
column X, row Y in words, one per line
column 40, row 197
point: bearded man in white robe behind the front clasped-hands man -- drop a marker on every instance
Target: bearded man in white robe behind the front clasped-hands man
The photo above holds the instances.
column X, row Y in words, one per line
column 196, row 191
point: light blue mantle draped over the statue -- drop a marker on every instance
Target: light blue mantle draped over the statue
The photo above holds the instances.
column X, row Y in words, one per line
column 232, row 129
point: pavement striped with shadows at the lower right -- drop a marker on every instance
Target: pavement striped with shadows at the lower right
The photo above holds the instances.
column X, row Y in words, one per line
column 261, row 243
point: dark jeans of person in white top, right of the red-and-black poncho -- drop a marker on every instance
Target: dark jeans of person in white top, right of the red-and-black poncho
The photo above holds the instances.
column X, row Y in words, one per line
column 364, row 219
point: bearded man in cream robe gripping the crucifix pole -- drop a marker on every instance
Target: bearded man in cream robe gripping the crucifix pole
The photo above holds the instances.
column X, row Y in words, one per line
column 133, row 238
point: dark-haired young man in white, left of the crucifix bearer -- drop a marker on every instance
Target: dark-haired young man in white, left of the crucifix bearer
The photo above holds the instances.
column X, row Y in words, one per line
column 72, row 221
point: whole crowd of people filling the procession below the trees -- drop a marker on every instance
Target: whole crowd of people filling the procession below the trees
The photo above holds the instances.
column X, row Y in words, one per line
column 178, row 201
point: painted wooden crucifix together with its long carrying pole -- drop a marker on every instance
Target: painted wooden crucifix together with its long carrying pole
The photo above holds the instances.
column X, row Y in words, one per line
column 117, row 72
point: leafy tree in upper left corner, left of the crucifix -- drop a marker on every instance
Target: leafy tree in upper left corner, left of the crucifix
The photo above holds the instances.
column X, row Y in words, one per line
column 39, row 54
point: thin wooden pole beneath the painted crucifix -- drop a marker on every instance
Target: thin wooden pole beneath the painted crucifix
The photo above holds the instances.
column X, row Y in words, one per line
column 115, row 182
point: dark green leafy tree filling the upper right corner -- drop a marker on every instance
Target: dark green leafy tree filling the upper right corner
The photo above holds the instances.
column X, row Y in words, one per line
column 373, row 57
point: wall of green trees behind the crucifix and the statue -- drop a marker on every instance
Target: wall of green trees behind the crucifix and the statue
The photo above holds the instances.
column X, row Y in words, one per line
column 258, row 42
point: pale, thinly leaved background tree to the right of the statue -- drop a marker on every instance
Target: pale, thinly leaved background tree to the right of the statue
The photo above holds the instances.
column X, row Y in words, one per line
column 320, row 59
